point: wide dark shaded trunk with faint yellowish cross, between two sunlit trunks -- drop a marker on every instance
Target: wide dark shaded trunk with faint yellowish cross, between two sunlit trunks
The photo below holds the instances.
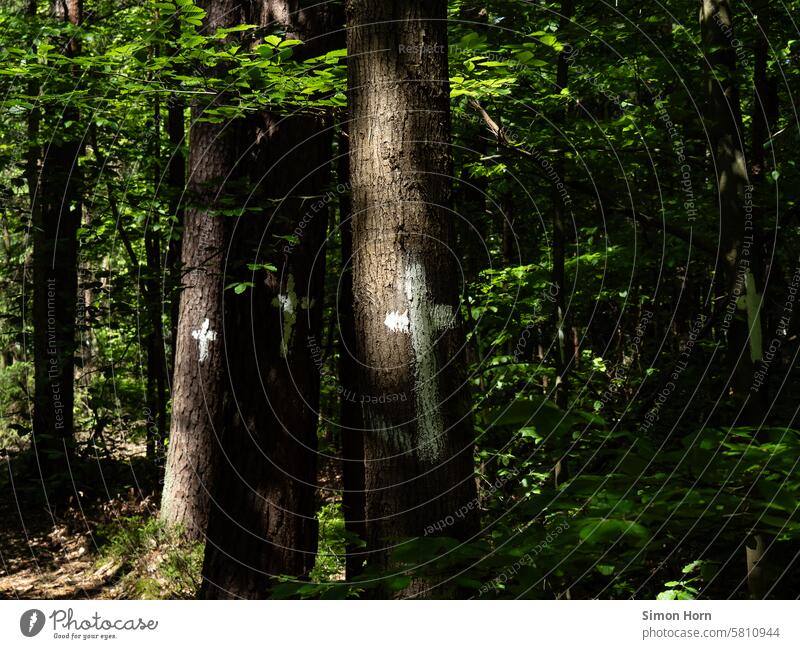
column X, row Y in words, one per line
column 263, row 523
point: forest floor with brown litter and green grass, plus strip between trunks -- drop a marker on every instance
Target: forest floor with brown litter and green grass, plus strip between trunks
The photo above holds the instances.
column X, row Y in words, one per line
column 94, row 543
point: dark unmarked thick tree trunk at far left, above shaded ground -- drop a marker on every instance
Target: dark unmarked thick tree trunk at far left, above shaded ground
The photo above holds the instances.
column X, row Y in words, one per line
column 57, row 218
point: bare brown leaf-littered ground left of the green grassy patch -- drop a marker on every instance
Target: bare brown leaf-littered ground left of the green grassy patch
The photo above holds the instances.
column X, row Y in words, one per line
column 50, row 551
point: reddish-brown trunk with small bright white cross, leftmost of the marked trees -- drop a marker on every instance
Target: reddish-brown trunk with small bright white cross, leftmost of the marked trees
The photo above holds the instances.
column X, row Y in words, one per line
column 198, row 381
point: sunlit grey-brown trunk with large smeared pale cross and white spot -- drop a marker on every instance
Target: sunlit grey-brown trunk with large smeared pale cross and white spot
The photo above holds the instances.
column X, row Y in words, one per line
column 418, row 448
